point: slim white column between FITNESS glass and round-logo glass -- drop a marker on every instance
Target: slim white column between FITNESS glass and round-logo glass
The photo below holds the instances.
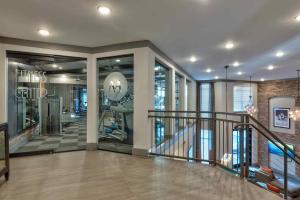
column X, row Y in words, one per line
column 92, row 111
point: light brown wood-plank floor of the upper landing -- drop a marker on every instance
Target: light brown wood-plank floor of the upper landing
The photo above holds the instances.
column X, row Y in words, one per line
column 104, row 175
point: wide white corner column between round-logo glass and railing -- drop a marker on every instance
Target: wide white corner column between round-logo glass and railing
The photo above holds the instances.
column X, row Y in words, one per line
column 143, row 100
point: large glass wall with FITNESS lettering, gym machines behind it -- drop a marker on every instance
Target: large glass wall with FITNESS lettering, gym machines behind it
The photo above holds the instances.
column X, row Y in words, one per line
column 47, row 103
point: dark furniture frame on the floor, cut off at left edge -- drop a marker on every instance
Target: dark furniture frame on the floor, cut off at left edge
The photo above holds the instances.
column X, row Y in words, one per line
column 4, row 151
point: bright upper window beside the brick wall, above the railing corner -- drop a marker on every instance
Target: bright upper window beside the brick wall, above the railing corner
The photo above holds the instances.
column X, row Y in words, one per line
column 240, row 98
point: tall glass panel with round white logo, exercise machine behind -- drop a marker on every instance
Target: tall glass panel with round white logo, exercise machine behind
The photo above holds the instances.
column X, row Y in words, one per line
column 116, row 94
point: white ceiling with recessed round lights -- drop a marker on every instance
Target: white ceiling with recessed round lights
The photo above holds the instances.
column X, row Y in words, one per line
column 180, row 28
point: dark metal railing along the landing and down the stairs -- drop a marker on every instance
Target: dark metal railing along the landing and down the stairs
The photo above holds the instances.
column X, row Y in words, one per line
column 228, row 140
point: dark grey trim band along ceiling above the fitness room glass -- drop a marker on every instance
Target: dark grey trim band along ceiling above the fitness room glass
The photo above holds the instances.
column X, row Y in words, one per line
column 92, row 50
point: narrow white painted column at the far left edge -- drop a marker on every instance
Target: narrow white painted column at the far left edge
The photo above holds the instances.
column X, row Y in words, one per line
column 3, row 85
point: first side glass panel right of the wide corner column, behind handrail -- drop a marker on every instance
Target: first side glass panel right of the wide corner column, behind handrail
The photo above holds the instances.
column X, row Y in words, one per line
column 161, row 102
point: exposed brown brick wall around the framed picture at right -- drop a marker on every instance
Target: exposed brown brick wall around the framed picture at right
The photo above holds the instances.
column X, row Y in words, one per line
column 267, row 90
